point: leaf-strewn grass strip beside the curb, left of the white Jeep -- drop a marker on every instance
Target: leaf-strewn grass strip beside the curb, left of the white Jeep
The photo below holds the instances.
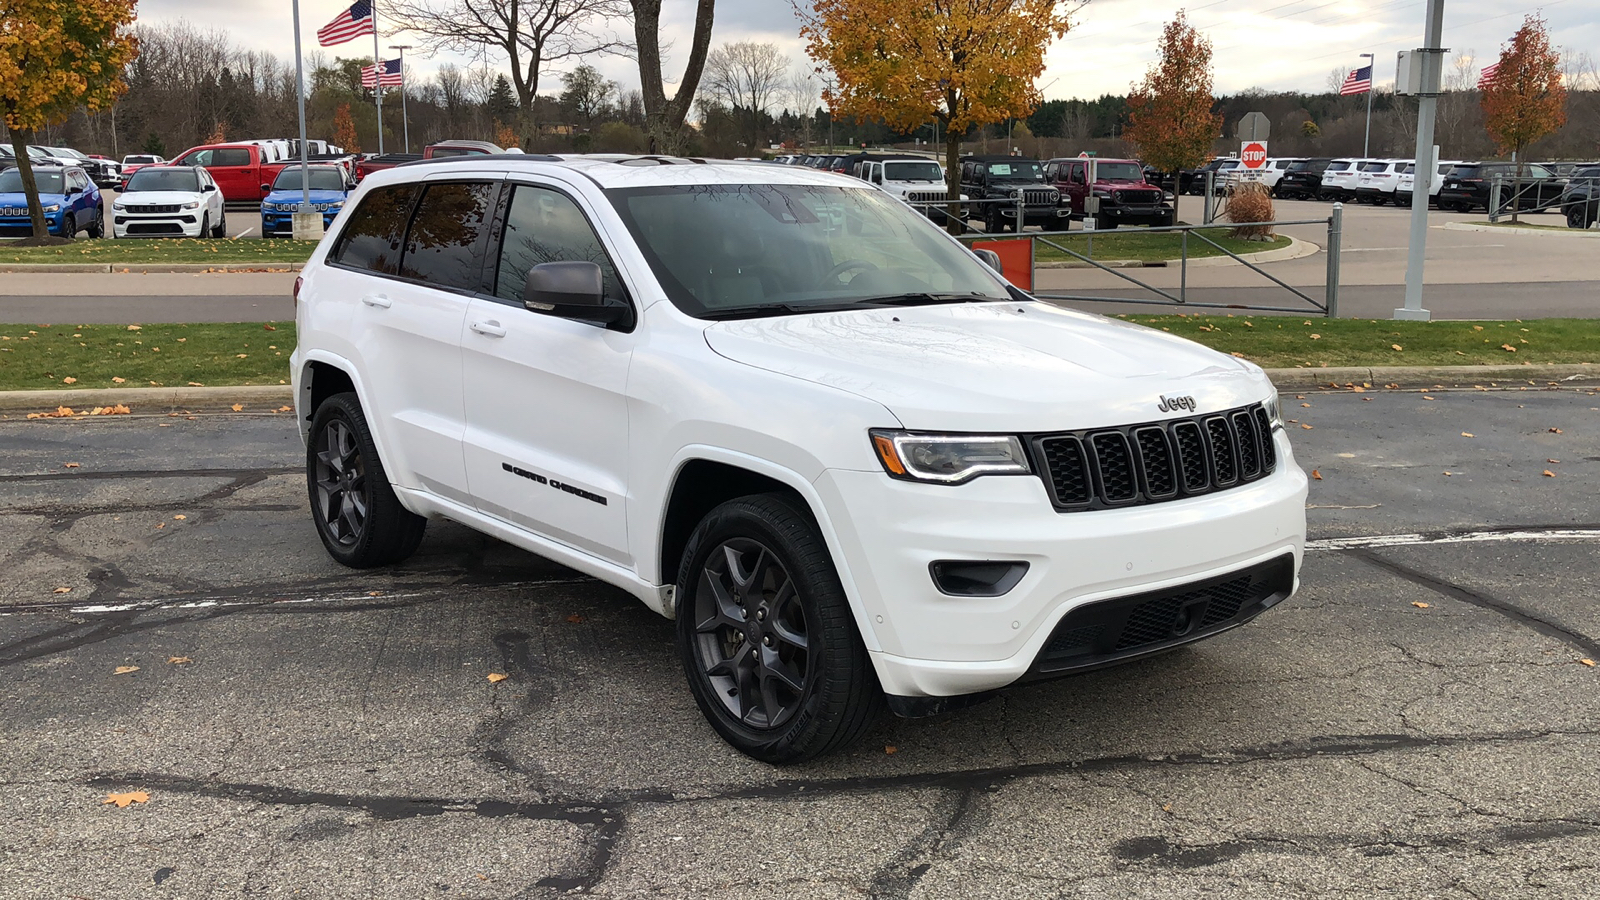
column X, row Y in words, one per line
column 142, row 356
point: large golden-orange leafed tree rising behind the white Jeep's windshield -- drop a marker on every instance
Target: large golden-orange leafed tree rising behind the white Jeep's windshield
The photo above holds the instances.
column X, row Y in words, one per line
column 959, row 63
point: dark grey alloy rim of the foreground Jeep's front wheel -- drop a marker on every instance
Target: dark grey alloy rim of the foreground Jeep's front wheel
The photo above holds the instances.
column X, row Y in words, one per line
column 751, row 635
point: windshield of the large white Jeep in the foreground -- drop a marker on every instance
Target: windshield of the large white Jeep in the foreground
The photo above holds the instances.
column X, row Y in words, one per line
column 729, row 251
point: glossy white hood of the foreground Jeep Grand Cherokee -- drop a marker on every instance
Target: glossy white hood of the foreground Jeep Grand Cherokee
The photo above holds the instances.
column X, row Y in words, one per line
column 1001, row 368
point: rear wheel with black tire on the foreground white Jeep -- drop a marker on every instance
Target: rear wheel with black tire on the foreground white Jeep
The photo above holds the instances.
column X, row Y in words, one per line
column 356, row 510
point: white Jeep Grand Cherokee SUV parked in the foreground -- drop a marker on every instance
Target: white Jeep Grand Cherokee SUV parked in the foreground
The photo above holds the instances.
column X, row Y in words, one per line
column 780, row 406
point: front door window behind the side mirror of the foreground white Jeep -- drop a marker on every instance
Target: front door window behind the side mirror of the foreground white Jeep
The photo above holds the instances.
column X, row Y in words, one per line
column 545, row 227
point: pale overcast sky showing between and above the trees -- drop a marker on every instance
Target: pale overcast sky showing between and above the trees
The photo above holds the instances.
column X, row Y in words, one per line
column 1260, row 44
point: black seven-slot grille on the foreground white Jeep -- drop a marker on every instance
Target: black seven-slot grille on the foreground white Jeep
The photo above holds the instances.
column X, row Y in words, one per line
column 1154, row 462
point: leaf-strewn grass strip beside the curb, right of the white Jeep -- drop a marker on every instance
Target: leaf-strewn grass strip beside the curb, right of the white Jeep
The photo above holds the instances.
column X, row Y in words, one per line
column 1279, row 342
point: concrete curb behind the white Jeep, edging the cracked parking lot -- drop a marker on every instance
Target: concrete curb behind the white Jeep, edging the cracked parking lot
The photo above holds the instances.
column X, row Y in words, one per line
column 268, row 398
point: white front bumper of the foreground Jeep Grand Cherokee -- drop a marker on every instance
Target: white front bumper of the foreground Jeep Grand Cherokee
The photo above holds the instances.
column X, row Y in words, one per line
column 930, row 645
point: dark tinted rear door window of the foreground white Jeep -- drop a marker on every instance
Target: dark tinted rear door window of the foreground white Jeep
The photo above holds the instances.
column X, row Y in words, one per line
column 446, row 243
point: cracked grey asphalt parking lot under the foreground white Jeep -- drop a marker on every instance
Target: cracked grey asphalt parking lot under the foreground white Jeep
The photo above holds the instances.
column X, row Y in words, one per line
column 1415, row 723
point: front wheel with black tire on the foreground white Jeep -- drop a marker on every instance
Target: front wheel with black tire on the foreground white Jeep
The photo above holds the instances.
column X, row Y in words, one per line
column 756, row 584
